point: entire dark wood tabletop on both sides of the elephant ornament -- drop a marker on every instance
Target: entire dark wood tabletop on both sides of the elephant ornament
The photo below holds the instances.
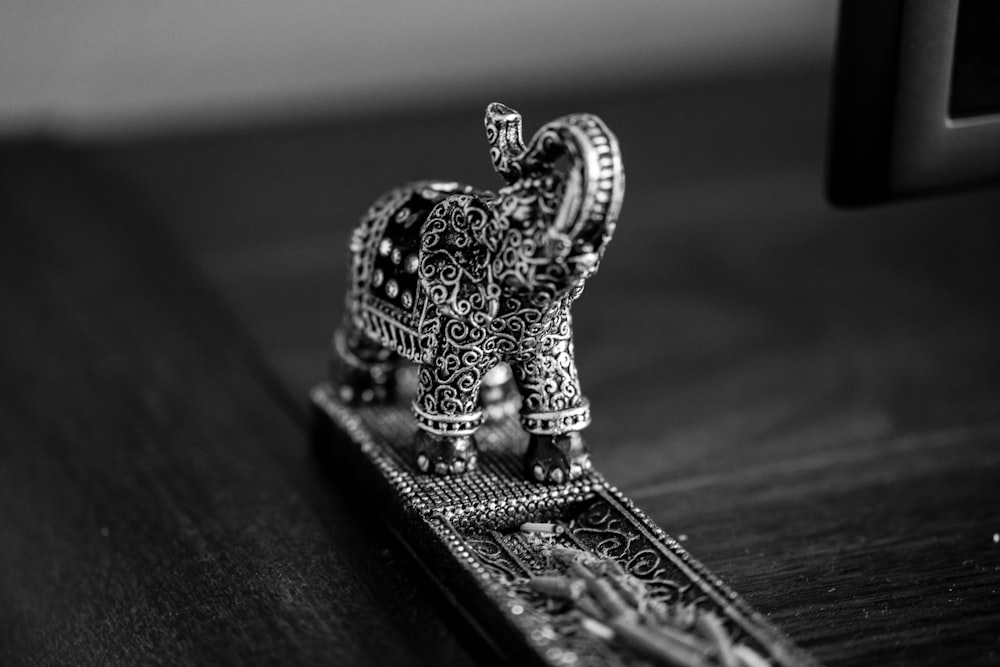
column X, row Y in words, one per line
column 809, row 397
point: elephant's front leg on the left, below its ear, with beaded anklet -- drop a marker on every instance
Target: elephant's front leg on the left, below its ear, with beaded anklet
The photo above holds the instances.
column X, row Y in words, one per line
column 448, row 414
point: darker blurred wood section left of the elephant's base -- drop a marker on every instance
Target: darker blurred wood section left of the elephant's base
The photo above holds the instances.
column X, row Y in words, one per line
column 158, row 501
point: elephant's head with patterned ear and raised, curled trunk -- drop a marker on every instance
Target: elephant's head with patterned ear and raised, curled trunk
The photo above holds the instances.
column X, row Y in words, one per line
column 542, row 234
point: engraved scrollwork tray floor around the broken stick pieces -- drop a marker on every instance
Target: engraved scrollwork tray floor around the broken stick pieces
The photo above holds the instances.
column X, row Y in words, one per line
column 611, row 543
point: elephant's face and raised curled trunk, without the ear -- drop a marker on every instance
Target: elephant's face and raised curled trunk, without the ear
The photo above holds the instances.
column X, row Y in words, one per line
column 556, row 223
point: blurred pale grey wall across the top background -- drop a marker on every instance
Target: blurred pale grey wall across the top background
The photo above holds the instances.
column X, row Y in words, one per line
column 113, row 66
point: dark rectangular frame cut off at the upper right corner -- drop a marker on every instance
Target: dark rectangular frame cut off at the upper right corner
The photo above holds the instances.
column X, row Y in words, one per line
column 896, row 130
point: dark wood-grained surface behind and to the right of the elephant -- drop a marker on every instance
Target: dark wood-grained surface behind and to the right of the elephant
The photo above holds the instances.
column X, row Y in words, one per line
column 810, row 397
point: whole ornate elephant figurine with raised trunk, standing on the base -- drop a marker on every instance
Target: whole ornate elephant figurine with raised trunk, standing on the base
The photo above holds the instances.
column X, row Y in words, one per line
column 463, row 281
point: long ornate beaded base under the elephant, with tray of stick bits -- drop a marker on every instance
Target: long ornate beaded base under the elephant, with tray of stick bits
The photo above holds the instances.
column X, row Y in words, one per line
column 560, row 575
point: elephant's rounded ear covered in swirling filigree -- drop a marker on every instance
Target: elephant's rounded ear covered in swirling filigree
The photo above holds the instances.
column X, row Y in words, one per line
column 456, row 248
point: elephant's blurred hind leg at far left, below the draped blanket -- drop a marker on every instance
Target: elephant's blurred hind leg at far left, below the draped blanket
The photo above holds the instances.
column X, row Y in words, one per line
column 362, row 370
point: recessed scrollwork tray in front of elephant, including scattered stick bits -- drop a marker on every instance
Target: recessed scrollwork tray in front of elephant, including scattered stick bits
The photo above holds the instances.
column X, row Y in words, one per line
column 598, row 581
